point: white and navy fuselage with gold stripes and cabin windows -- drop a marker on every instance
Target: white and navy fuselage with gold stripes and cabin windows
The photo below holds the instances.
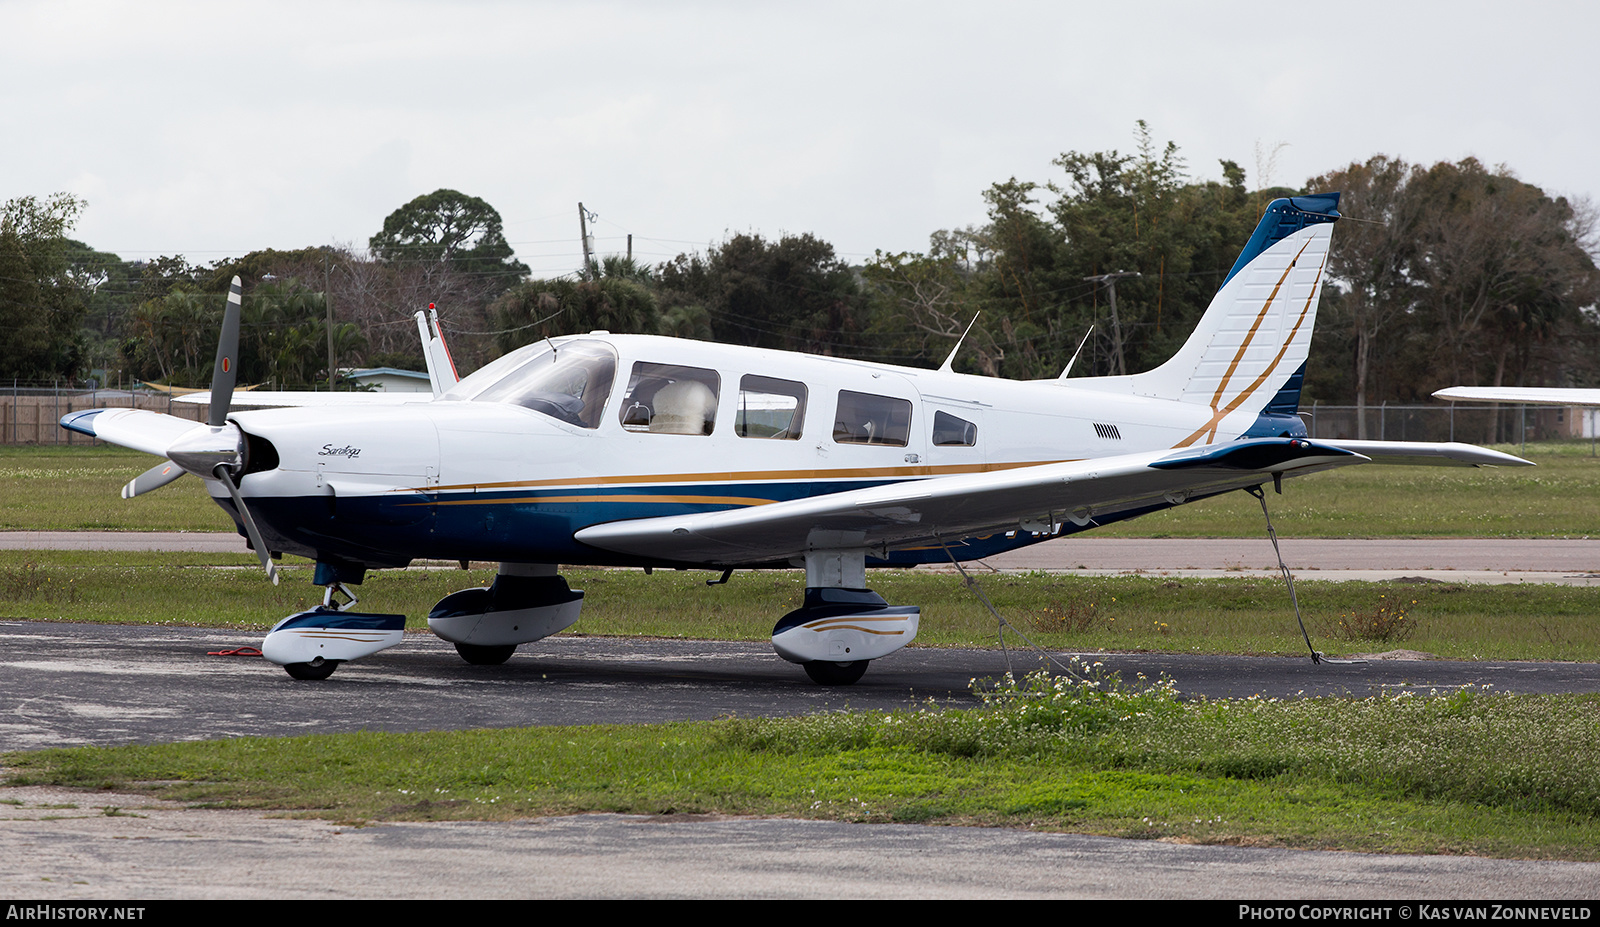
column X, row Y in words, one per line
column 468, row 478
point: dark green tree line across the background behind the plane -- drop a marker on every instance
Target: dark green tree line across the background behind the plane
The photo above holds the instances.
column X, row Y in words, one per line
column 1444, row 275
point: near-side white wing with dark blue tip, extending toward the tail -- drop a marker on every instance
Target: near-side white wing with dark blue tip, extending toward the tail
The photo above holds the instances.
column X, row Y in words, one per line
column 967, row 505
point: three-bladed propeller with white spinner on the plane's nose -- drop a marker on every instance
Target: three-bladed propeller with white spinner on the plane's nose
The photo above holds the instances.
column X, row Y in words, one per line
column 215, row 451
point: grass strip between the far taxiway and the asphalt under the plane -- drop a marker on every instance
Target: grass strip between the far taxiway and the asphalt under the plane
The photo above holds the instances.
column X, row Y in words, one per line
column 1207, row 616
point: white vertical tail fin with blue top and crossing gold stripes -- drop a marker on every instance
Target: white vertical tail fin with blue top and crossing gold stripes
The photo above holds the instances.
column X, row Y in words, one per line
column 1247, row 356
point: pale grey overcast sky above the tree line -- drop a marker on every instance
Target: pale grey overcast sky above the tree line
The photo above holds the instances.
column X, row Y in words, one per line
column 218, row 129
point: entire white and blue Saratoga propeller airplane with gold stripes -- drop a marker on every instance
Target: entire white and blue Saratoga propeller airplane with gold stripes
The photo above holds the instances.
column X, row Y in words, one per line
column 655, row 452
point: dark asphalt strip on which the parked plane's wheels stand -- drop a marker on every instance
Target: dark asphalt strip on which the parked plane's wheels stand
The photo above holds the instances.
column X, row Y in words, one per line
column 108, row 684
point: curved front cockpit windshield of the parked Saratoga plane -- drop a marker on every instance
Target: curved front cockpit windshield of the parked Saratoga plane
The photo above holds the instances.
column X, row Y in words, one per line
column 570, row 382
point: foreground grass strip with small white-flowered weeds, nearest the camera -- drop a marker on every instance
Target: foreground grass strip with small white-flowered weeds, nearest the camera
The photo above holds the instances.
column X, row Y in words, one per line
column 1463, row 774
